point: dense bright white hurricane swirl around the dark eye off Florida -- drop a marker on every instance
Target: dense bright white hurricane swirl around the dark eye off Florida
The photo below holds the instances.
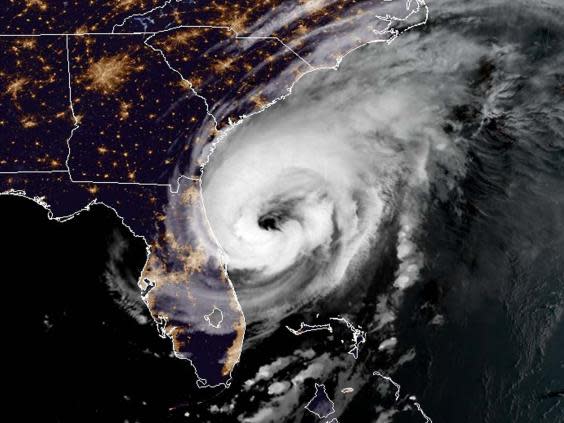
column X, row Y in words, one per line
column 297, row 195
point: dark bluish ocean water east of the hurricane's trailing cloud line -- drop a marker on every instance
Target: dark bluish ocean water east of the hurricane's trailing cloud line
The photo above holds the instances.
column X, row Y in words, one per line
column 496, row 273
